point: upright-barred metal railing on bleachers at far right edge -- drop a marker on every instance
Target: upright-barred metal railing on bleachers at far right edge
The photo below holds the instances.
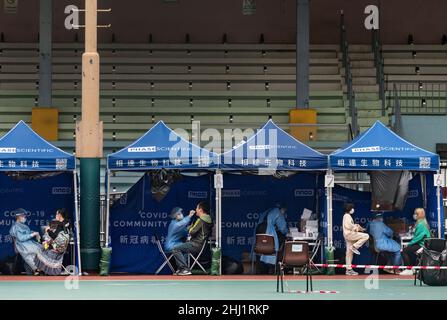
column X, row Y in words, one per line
column 418, row 98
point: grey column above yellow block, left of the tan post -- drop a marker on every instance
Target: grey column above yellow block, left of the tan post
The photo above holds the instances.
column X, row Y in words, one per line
column 45, row 53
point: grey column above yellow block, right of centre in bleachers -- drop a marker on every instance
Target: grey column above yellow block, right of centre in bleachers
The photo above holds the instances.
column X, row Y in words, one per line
column 302, row 54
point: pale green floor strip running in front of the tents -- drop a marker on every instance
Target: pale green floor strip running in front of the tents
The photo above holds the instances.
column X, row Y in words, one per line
column 220, row 290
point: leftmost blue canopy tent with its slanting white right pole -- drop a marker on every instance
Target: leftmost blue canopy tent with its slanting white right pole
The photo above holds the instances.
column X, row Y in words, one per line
column 24, row 151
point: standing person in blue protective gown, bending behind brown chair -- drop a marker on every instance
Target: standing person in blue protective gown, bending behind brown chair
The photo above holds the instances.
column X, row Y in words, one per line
column 276, row 226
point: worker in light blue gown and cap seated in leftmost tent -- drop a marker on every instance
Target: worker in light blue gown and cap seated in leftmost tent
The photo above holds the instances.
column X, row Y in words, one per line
column 24, row 241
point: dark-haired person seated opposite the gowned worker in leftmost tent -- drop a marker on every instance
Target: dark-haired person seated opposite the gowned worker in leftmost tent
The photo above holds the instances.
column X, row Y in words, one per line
column 56, row 241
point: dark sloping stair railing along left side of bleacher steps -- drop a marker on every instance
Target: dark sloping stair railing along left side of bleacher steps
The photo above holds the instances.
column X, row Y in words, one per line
column 346, row 62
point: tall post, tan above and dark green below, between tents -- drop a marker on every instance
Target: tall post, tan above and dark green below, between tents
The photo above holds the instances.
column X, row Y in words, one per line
column 89, row 144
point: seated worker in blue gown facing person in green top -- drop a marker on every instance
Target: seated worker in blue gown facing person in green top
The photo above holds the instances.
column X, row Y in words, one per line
column 383, row 240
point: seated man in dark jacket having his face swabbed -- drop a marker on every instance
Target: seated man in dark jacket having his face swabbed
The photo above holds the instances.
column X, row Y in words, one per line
column 199, row 232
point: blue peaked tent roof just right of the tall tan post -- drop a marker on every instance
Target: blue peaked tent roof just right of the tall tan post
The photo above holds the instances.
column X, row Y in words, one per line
column 161, row 147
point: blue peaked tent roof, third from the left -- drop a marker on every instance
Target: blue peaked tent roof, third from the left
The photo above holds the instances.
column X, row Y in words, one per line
column 272, row 148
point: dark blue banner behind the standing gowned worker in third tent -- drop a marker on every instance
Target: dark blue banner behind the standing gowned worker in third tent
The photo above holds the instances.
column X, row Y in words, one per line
column 245, row 197
